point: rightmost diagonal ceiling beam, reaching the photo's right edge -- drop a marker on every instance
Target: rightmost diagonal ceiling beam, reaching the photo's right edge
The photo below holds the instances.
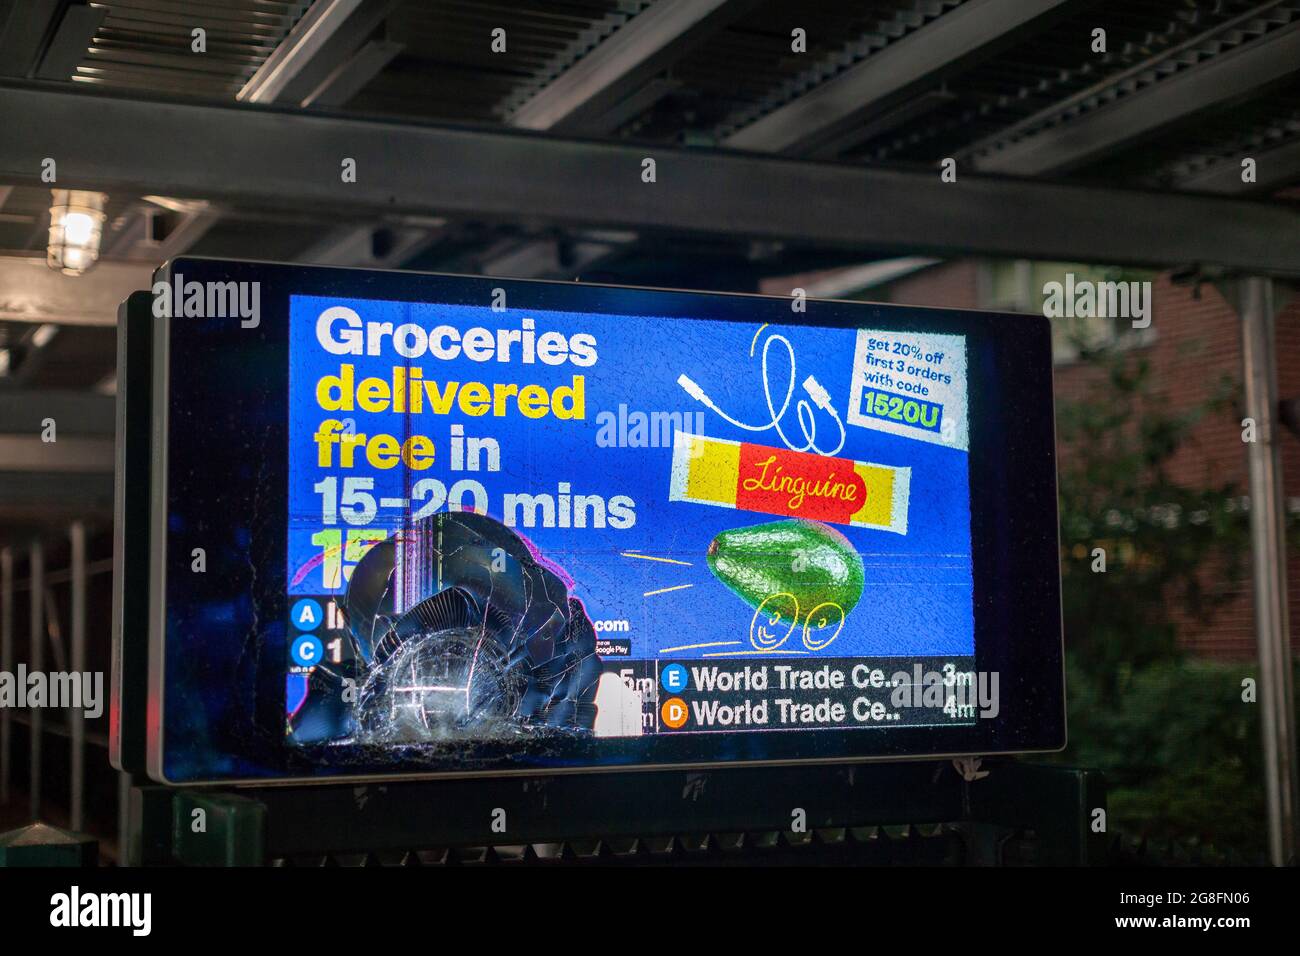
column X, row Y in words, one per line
column 1217, row 83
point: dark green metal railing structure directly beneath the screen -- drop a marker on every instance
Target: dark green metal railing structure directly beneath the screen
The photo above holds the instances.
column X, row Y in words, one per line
column 890, row 814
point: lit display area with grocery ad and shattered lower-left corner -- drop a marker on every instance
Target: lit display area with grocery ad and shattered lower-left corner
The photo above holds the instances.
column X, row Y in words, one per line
column 517, row 524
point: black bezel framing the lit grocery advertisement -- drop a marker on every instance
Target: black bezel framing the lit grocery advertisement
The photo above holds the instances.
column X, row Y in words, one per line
column 216, row 451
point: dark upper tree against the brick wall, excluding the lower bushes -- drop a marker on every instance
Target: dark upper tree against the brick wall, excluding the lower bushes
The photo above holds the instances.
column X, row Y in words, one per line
column 1167, row 544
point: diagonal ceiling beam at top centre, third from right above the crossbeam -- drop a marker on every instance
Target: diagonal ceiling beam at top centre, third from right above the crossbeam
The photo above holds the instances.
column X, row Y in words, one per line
column 632, row 55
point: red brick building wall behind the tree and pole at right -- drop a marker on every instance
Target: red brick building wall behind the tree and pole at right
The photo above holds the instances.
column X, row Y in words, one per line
column 1197, row 345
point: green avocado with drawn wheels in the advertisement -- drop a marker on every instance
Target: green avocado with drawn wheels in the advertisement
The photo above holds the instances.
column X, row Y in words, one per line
column 811, row 561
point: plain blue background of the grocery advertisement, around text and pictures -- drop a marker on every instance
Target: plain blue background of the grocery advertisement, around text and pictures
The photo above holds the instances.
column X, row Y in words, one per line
column 918, row 596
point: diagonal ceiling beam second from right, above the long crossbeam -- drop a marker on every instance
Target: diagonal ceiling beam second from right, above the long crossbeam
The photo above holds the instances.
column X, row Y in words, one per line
column 920, row 60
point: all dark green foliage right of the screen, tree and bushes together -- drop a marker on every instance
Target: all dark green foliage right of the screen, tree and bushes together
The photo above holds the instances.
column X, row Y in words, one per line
column 1180, row 747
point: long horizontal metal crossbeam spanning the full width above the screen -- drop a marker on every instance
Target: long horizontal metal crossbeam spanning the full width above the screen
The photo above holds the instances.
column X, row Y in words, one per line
column 274, row 158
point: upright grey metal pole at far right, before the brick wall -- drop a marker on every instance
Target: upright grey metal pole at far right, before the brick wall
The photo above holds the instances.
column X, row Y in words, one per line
column 1269, row 566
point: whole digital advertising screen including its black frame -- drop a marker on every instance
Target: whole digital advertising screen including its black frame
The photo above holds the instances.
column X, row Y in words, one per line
column 458, row 525
